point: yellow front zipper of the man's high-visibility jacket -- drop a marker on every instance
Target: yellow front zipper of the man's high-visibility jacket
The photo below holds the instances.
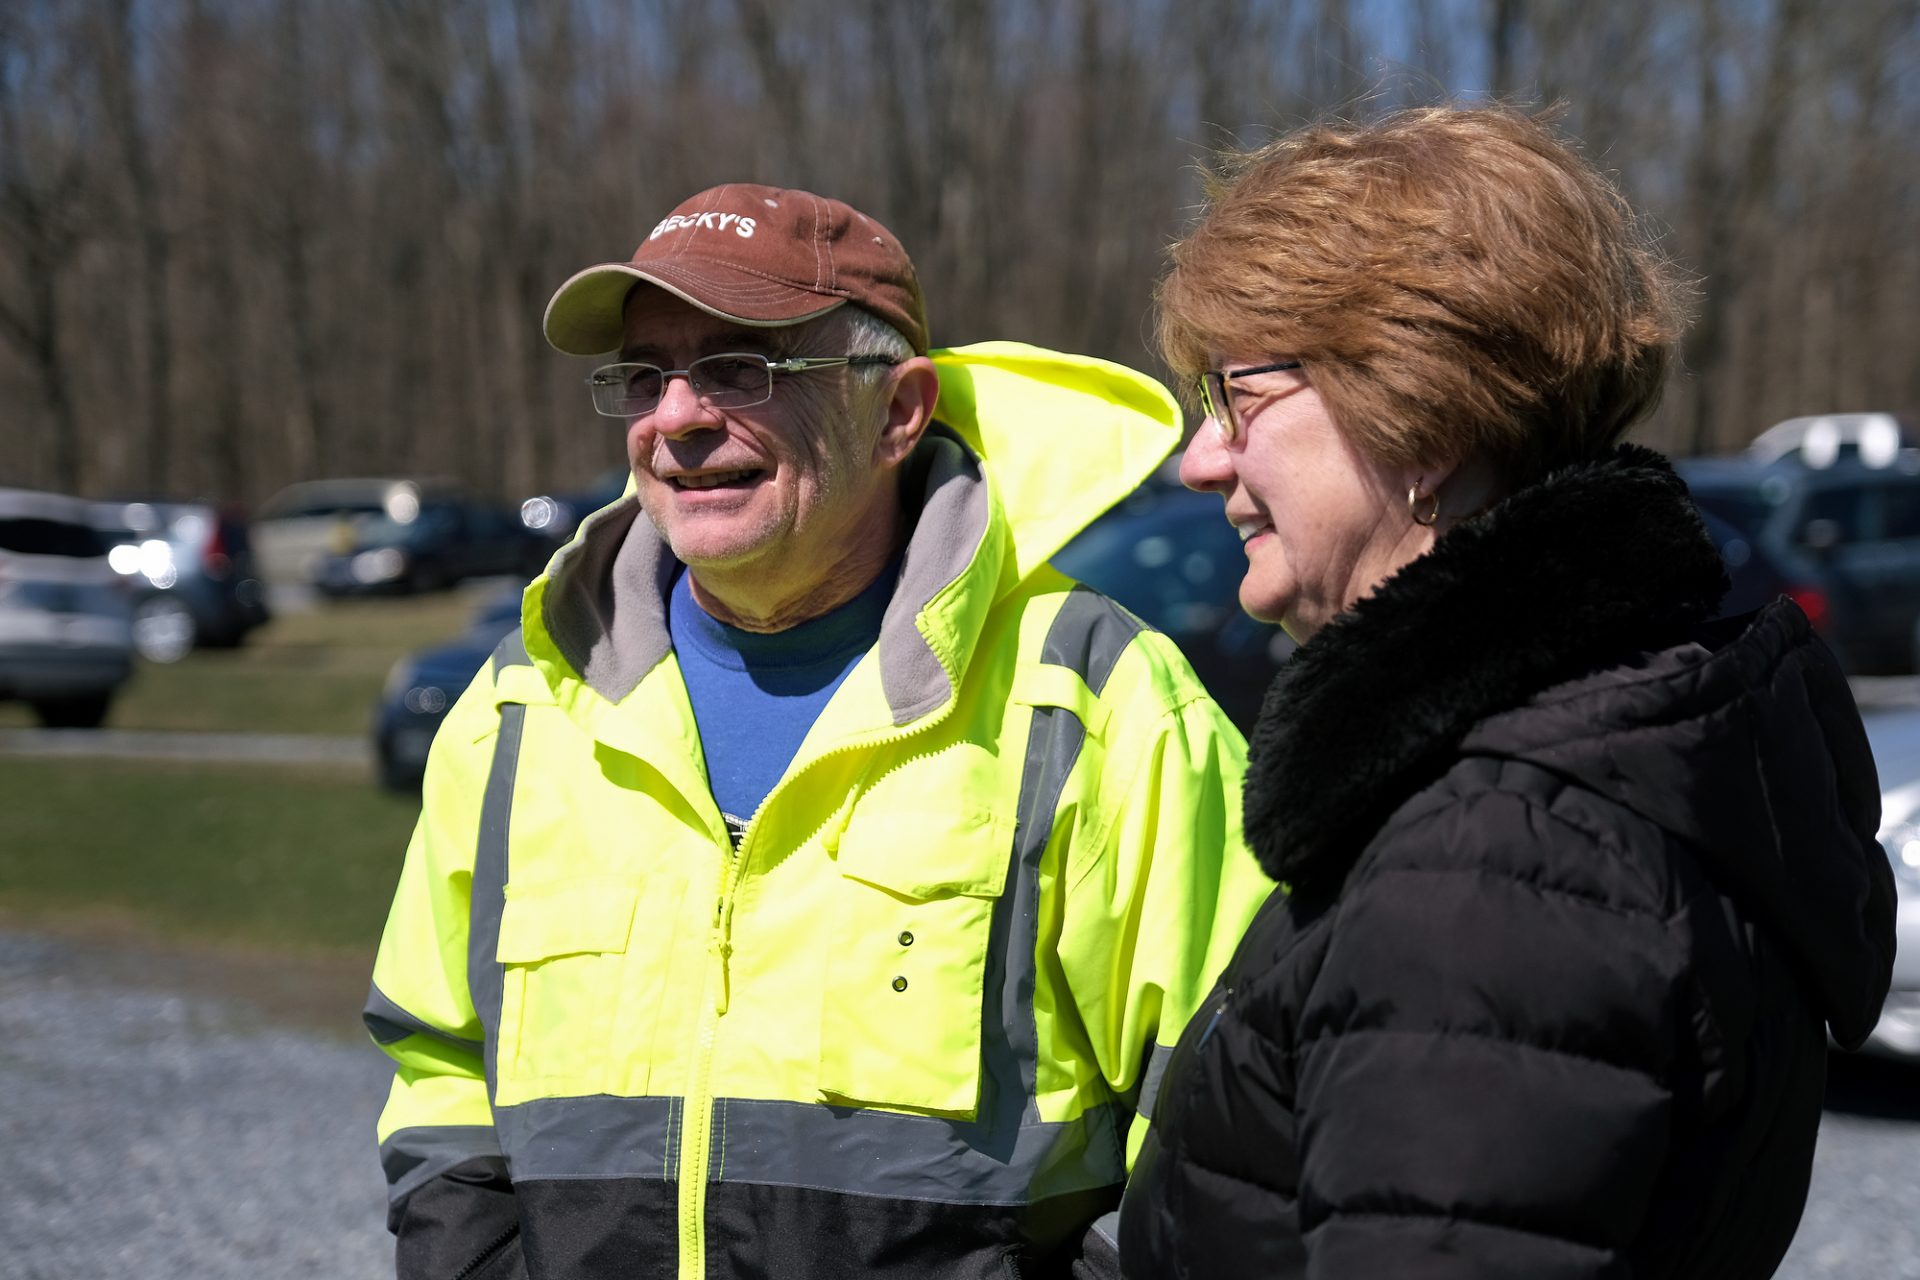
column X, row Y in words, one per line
column 696, row 1147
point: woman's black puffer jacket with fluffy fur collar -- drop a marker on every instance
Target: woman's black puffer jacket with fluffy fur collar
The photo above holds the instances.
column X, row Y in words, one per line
column 1579, row 889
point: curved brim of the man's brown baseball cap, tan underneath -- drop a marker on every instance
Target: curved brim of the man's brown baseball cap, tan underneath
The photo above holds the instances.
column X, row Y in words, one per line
column 587, row 314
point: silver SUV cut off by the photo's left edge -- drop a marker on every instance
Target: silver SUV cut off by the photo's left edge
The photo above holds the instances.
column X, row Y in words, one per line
column 66, row 619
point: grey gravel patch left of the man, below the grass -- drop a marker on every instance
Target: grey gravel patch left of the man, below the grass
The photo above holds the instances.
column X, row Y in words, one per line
column 145, row 1133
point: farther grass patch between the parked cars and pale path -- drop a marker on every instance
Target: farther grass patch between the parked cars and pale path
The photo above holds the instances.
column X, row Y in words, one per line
column 308, row 673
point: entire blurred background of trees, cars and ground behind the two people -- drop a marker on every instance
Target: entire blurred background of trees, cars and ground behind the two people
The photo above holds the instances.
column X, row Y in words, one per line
column 281, row 440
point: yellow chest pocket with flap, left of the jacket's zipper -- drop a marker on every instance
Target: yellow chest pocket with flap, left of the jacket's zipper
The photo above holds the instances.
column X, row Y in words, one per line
column 577, row 972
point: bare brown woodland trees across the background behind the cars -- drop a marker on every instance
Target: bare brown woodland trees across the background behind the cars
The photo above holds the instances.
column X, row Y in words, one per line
column 318, row 239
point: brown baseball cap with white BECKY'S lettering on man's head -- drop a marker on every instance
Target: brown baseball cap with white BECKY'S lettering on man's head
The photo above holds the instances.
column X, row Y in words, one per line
column 759, row 256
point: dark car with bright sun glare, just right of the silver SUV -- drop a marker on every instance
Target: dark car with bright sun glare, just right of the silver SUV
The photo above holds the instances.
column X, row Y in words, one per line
column 191, row 569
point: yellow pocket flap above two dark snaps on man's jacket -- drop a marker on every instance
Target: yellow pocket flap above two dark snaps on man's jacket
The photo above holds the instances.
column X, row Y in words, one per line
column 930, row 855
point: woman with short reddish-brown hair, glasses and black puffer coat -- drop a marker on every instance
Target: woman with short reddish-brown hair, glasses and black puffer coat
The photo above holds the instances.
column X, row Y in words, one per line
column 1577, row 884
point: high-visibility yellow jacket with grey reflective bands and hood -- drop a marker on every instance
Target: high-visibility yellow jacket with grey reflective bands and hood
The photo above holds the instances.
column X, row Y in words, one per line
column 913, row 1024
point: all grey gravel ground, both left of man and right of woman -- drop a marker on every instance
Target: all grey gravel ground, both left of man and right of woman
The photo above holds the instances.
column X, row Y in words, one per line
column 153, row 1133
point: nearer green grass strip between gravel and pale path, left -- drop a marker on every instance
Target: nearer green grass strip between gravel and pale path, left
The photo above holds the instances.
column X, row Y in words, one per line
column 293, row 859
